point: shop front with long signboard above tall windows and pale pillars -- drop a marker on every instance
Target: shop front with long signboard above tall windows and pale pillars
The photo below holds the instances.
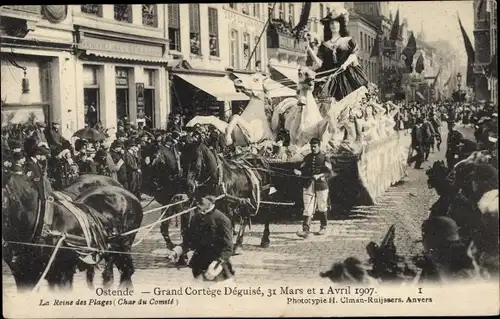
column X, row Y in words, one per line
column 122, row 79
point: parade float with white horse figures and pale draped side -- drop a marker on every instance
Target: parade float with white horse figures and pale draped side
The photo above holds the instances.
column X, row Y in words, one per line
column 368, row 155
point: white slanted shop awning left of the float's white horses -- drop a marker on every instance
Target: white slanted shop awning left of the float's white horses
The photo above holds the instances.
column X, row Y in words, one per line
column 220, row 87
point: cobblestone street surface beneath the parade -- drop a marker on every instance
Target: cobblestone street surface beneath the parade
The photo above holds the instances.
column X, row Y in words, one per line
column 289, row 258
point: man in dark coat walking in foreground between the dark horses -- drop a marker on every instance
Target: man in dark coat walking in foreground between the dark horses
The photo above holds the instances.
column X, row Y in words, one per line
column 210, row 237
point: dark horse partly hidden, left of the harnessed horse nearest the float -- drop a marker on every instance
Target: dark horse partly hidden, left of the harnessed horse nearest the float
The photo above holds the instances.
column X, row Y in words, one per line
column 163, row 180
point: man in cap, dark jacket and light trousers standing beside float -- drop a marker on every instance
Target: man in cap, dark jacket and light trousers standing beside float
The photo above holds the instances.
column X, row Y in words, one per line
column 316, row 170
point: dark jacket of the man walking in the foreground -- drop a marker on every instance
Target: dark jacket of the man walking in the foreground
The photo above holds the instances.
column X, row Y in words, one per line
column 210, row 236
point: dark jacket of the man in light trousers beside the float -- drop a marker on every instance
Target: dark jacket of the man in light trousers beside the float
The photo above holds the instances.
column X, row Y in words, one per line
column 316, row 164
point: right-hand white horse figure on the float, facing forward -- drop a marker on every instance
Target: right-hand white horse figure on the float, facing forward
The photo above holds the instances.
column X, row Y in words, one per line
column 300, row 116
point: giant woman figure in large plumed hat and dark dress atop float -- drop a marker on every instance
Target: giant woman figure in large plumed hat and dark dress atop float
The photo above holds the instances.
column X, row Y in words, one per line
column 338, row 51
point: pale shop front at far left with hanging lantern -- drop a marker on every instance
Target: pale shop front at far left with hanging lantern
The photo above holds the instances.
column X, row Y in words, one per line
column 36, row 80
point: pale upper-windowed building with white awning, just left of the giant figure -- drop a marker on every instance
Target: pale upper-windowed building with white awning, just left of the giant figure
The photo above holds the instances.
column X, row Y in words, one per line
column 212, row 44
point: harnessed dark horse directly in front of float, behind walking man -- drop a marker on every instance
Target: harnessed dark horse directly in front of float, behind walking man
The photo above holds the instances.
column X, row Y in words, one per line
column 207, row 173
